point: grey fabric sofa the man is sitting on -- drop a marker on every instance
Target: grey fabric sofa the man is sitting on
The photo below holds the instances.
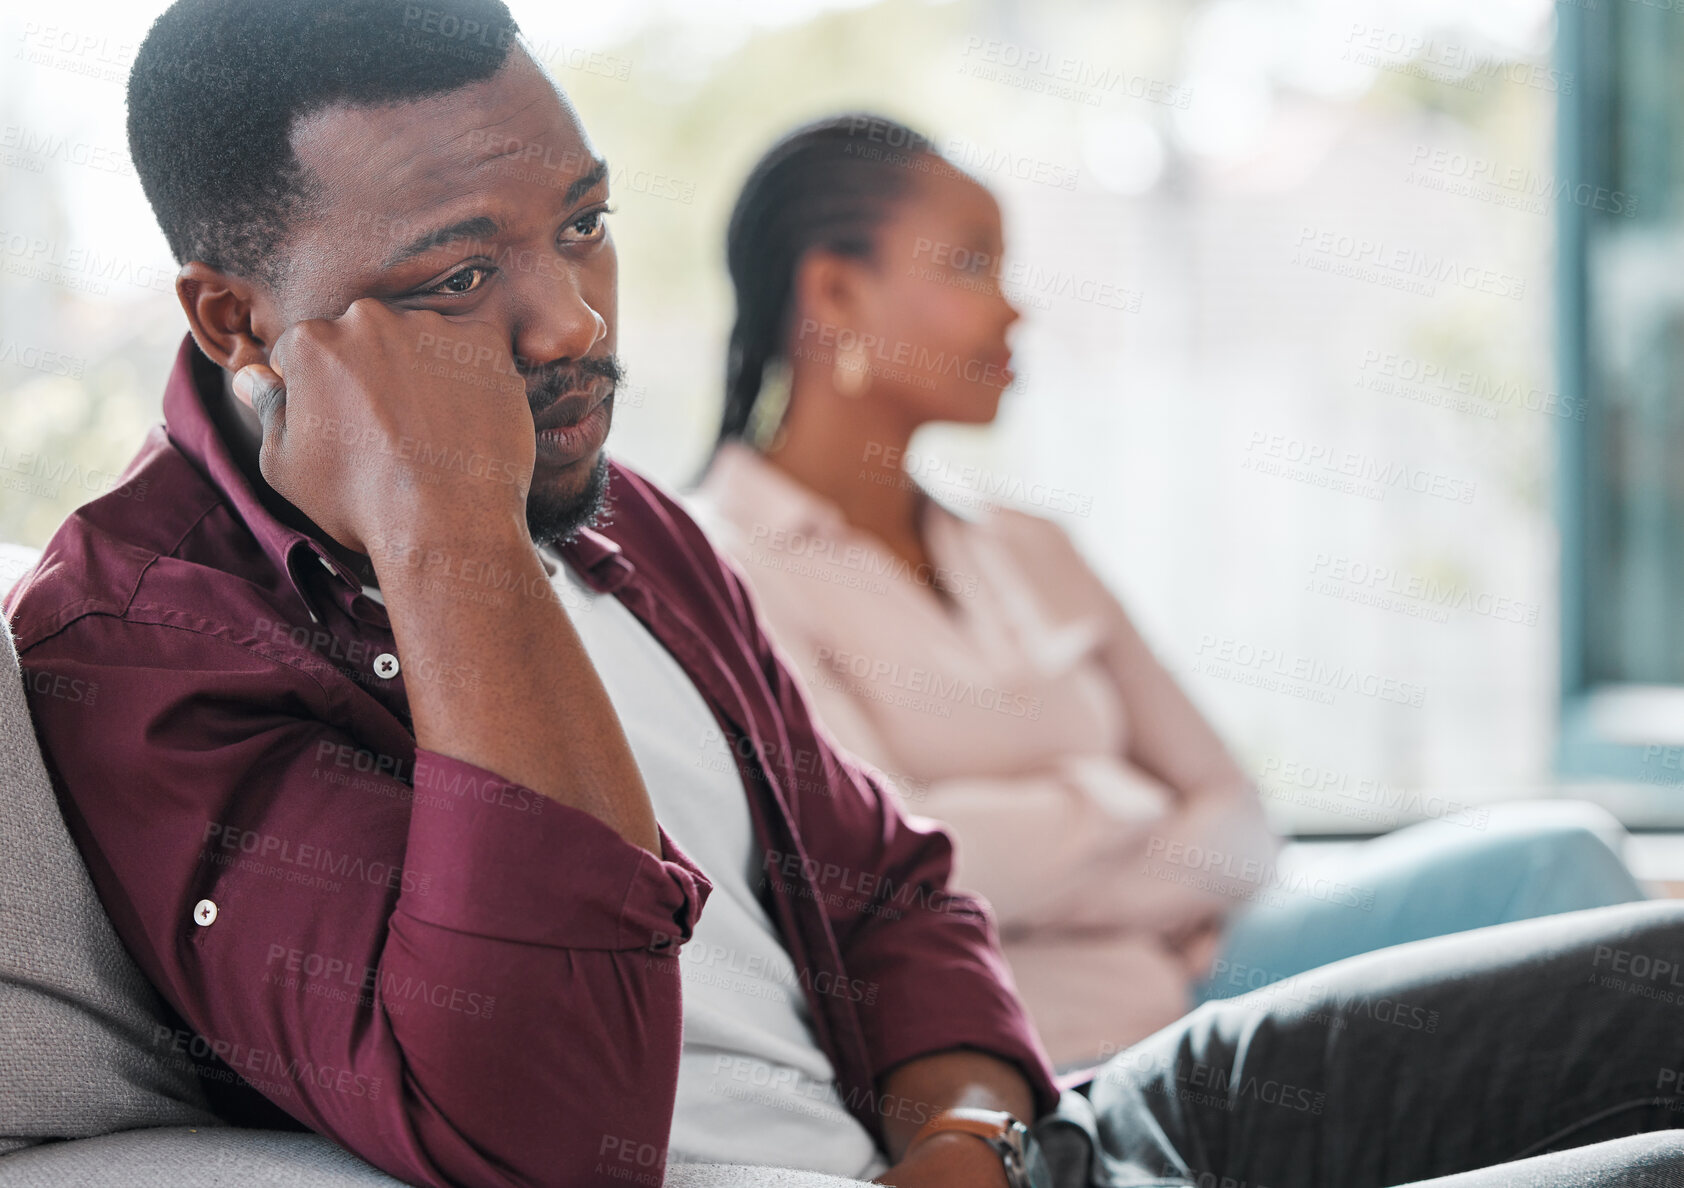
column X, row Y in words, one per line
column 88, row 1100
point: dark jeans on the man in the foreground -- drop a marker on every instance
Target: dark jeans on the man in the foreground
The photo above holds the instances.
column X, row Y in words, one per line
column 1550, row 1047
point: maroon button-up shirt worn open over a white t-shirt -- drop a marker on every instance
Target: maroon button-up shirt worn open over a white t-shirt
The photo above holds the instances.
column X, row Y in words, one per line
column 447, row 973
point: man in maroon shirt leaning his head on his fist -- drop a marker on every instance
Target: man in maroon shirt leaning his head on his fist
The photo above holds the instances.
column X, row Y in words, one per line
column 445, row 784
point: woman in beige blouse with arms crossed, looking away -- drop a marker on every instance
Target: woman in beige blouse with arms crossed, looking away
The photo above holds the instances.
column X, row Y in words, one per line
column 981, row 665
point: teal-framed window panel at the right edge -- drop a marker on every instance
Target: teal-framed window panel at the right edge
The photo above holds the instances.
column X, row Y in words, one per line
column 1621, row 198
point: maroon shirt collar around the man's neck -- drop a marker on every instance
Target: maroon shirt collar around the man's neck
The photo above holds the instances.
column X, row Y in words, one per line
column 186, row 419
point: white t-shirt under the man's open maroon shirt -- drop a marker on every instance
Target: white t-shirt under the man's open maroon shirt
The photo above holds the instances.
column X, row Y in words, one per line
column 754, row 1084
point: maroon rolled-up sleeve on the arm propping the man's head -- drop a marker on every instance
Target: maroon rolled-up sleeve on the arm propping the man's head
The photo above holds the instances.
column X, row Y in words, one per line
column 449, row 975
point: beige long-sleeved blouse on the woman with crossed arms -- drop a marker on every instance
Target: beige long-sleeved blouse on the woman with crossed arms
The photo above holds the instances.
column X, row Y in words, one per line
column 1082, row 786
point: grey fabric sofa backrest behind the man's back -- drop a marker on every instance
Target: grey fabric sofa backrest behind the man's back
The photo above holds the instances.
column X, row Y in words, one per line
column 82, row 1046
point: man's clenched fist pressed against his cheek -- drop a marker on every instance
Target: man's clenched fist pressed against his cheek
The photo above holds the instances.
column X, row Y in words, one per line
column 383, row 425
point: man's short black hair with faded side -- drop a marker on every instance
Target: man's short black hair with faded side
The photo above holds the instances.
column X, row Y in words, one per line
column 220, row 85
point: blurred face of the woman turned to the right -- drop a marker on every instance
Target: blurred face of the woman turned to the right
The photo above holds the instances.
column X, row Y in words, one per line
column 935, row 304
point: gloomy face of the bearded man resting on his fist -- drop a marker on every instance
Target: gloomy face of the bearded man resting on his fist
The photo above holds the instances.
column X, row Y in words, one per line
column 482, row 205
